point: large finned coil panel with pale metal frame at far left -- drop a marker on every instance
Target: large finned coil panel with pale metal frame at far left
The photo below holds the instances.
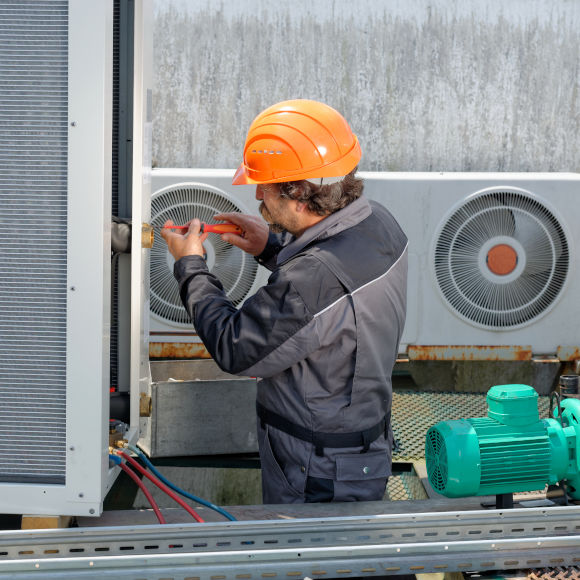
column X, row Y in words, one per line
column 55, row 255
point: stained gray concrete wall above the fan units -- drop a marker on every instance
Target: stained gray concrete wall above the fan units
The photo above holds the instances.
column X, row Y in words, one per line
column 439, row 85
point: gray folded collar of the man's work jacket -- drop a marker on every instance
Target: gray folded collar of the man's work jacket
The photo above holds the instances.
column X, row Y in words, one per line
column 337, row 222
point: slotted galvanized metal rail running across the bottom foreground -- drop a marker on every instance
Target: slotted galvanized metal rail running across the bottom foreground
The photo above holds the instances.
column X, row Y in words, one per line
column 327, row 548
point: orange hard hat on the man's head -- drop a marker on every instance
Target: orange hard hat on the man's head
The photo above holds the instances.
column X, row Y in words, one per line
column 295, row 140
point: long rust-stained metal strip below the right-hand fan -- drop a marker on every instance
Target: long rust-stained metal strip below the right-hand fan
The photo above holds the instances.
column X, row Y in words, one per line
column 470, row 352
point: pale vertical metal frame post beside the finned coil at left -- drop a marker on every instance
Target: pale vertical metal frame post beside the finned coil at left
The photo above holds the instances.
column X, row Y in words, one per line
column 89, row 282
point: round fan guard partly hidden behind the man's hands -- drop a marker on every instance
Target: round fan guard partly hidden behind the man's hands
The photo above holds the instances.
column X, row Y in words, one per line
column 235, row 269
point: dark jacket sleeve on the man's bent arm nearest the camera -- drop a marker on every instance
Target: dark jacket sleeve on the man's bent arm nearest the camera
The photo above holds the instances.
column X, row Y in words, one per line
column 260, row 335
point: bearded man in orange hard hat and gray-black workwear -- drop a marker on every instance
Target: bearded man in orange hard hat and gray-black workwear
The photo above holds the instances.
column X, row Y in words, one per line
column 323, row 334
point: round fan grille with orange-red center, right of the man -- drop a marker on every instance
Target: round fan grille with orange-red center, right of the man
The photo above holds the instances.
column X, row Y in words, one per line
column 509, row 223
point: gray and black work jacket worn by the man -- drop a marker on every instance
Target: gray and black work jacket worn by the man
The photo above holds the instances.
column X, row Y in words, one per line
column 322, row 335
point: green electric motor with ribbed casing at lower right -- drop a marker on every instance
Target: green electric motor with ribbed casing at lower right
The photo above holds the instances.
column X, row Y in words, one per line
column 510, row 450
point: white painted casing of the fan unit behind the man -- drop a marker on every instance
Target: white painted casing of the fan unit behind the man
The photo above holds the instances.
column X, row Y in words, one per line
column 423, row 203
